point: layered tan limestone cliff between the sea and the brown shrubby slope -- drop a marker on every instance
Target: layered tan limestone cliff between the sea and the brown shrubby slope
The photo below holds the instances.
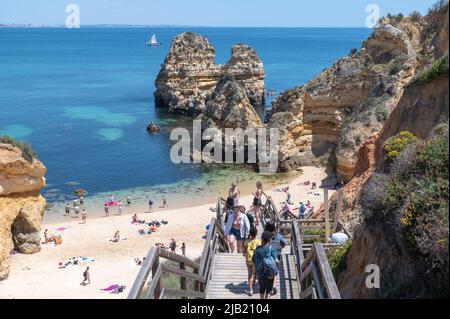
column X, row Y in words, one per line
column 328, row 119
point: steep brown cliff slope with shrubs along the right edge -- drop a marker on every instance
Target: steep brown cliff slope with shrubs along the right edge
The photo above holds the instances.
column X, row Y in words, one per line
column 399, row 212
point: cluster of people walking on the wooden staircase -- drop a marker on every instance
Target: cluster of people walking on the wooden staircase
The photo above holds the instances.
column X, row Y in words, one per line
column 262, row 255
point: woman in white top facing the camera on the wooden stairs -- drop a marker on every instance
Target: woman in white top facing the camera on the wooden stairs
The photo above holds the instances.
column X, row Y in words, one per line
column 237, row 229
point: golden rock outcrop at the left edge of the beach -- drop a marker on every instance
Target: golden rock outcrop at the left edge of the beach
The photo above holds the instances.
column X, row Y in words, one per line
column 21, row 205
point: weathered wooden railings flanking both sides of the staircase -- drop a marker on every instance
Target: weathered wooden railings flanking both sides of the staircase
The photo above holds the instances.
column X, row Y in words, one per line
column 314, row 272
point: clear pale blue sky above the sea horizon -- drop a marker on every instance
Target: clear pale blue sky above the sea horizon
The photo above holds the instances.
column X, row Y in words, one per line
column 281, row 13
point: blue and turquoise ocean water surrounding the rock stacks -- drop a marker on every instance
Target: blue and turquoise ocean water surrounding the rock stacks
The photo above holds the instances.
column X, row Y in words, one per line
column 83, row 98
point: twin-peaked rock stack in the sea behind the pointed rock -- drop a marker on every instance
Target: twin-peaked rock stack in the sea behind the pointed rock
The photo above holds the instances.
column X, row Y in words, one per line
column 189, row 74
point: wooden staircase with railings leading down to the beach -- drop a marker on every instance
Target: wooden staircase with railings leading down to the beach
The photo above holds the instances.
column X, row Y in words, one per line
column 222, row 275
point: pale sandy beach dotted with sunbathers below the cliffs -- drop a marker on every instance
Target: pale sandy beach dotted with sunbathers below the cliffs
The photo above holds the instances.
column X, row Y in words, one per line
column 38, row 277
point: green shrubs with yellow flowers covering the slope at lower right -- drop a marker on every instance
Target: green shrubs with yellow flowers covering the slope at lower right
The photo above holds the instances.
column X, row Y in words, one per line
column 409, row 198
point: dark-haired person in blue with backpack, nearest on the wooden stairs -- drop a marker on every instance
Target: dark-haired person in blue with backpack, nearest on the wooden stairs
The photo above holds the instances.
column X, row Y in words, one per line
column 264, row 259
